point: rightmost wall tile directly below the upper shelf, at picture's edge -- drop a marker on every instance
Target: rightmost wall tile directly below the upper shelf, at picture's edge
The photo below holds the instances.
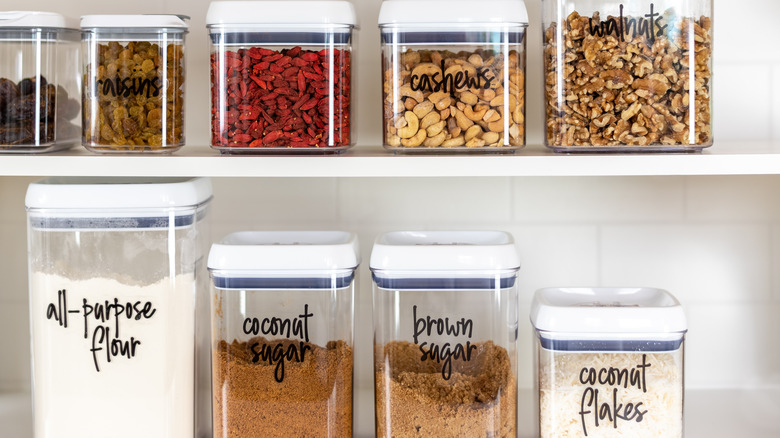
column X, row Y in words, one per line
column 733, row 198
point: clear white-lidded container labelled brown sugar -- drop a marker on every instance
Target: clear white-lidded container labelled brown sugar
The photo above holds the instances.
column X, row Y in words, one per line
column 445, row 334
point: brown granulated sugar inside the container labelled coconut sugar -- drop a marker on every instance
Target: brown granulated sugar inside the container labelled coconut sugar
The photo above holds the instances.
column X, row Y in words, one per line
column 314, row 398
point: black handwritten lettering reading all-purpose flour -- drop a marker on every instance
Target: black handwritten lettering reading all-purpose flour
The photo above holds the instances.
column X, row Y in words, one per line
column 105, row 340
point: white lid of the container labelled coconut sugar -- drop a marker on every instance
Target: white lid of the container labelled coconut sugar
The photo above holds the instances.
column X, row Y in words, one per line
column 262, row 251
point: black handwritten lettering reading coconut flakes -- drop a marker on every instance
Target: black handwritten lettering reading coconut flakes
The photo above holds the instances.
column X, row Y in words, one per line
column 601, row 408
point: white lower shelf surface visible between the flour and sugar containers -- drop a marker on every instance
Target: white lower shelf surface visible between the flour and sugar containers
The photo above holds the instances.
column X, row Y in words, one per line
column 708, row 414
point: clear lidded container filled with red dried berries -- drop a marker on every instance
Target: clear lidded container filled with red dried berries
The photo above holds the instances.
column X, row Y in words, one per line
column 281, row 76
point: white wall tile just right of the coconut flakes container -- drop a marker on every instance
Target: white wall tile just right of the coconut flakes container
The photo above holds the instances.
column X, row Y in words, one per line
column 730, row 345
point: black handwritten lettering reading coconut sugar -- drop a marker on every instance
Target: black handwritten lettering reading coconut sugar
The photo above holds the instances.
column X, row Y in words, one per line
column 278, row 352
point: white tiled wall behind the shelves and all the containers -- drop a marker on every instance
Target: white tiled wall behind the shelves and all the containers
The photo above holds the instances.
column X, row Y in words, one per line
column 713, row 241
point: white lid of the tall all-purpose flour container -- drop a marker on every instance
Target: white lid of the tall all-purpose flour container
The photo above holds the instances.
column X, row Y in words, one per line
column 95, row 193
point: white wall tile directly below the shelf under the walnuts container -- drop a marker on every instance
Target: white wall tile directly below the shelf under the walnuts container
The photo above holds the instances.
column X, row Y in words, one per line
column 598, row 199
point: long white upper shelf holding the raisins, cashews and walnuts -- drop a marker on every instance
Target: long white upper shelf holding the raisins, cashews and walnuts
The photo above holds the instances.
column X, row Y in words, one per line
column 734, row 158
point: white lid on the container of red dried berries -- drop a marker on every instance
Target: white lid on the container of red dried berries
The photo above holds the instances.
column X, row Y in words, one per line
column 276, row 12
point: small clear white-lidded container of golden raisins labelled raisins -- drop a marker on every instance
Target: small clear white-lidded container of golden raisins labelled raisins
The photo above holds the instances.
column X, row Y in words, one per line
column 133, row 93
